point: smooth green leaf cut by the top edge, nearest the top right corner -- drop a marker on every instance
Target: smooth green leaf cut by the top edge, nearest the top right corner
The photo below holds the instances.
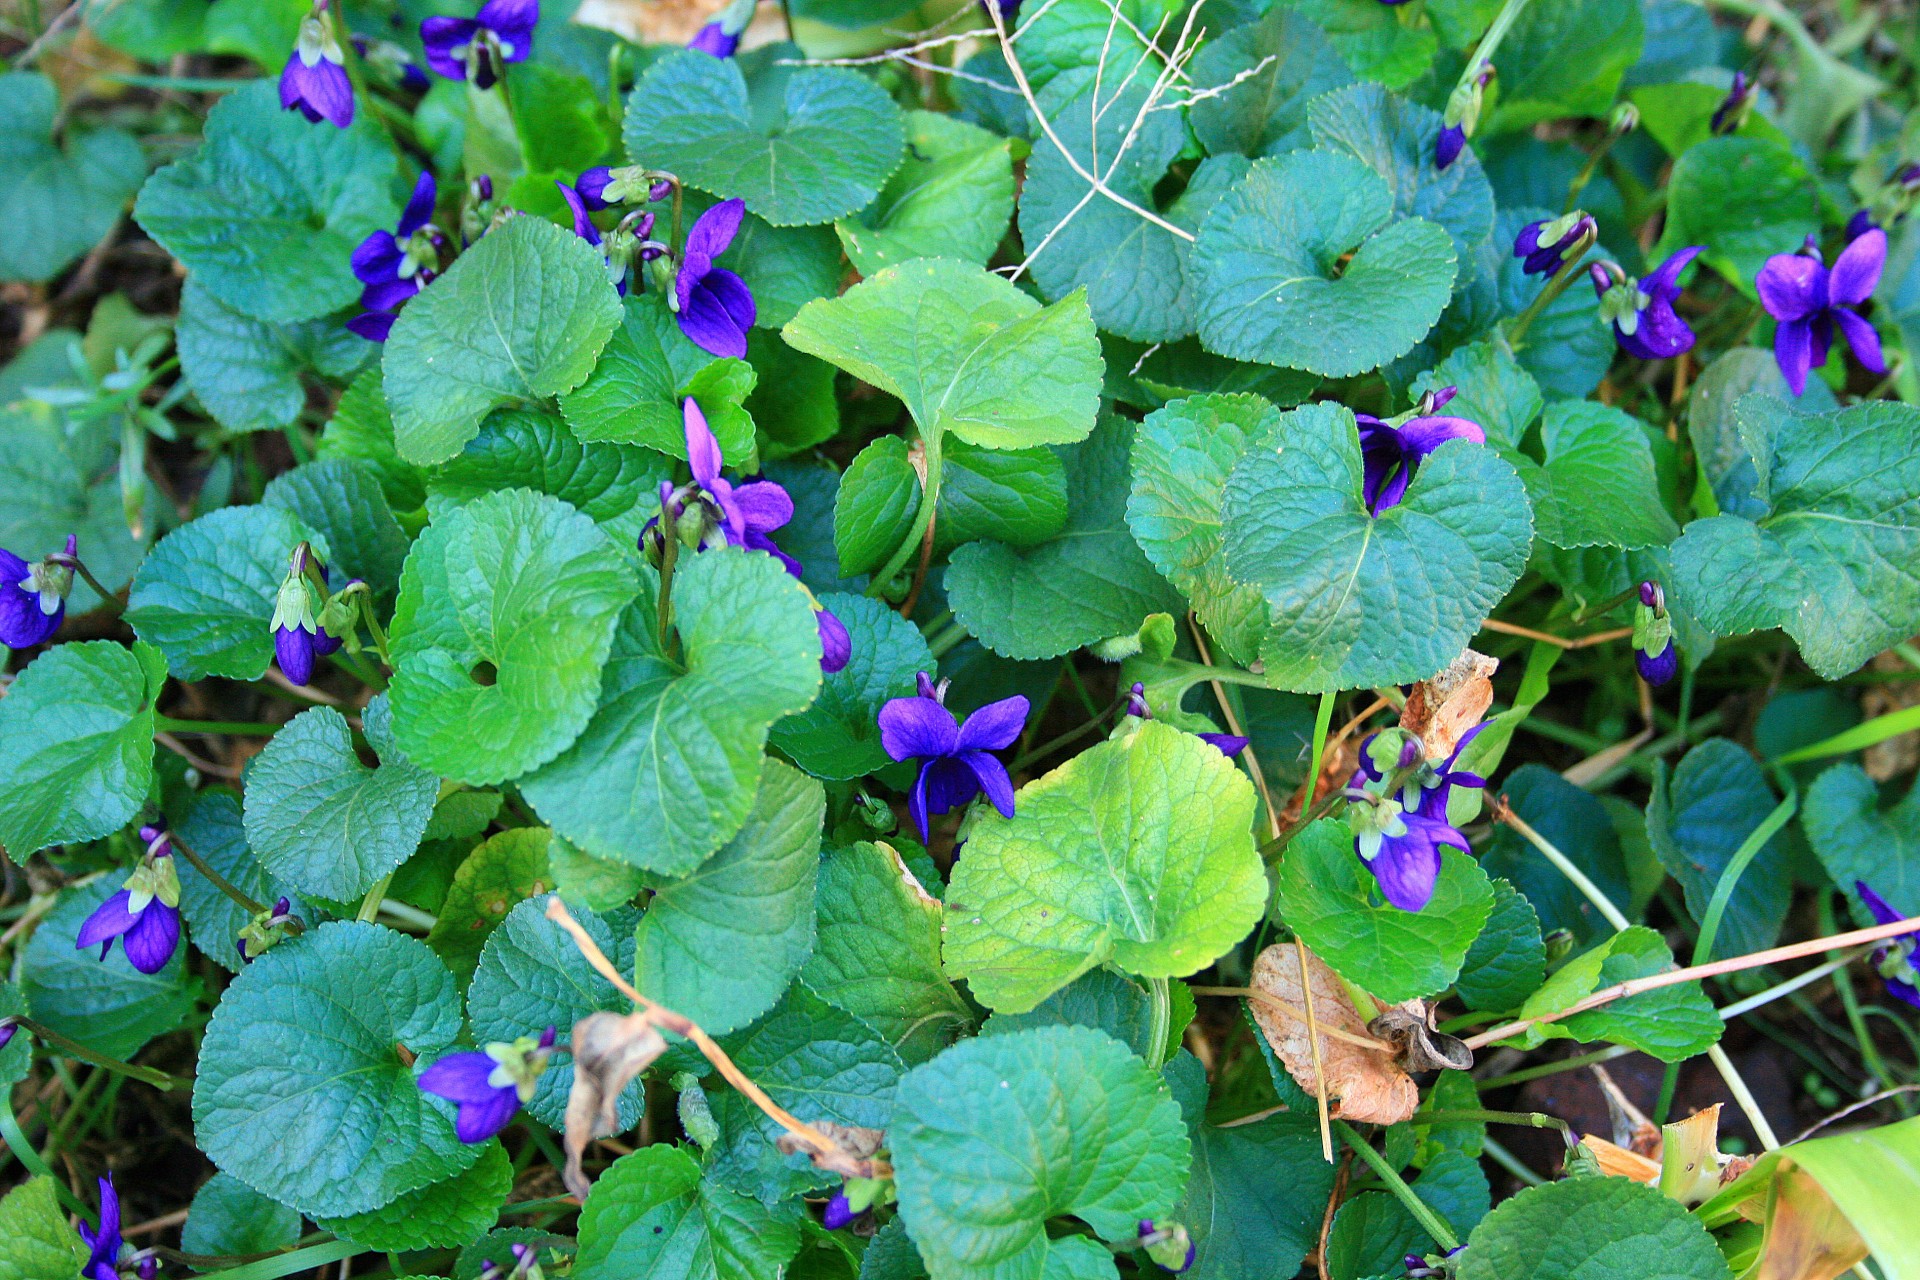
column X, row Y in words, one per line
column 1566, row 60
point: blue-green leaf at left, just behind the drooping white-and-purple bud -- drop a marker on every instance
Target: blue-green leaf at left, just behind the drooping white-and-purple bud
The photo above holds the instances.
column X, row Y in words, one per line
column 206, row 594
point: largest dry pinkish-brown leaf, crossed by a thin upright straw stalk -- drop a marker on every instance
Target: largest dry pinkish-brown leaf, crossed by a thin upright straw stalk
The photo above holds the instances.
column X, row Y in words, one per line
column 1364, row 1083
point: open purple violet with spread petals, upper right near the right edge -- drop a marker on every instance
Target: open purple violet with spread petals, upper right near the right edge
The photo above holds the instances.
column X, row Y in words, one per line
column 1810, row 302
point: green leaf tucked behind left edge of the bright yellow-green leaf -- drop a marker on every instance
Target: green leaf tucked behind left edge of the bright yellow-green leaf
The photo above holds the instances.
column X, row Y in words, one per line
column 878, row 951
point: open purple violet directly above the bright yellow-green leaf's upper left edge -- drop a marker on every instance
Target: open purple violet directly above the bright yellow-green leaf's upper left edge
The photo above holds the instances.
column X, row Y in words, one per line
column 955, row 763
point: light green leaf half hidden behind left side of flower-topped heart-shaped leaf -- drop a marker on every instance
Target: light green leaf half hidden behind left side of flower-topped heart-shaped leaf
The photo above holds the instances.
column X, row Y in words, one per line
column 1182, row 460
